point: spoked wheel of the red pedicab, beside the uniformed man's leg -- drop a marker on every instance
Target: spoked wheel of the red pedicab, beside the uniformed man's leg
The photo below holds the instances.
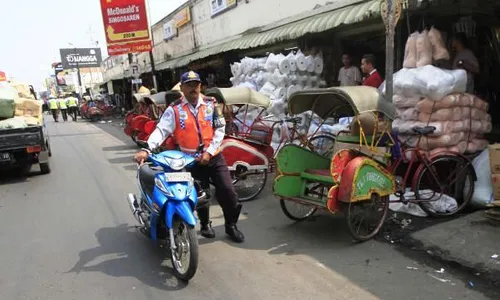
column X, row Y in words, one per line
column 242, row 181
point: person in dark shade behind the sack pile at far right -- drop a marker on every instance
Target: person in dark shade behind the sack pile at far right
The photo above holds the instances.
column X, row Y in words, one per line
column 465, row 59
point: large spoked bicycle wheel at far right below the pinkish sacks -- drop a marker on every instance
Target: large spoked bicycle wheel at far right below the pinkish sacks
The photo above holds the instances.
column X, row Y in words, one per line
column 445, row 175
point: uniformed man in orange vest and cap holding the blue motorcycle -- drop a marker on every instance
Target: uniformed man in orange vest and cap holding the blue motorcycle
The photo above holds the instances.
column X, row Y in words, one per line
column 199, row 129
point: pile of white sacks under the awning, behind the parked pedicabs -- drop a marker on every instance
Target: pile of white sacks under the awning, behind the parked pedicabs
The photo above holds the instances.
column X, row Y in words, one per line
column 277, row 76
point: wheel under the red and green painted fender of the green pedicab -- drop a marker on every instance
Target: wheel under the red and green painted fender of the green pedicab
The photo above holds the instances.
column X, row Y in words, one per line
column 374, row 210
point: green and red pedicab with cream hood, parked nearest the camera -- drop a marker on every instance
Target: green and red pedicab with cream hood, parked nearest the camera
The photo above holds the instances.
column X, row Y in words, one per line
column 356, row 178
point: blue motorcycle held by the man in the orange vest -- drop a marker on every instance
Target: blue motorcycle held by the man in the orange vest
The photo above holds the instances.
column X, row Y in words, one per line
column 169, row 196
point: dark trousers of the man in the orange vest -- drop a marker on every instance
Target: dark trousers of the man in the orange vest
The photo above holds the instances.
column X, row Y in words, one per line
column 218, row 173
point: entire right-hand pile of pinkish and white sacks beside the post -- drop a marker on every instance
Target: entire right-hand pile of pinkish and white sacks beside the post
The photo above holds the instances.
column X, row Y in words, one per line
column 428, row 96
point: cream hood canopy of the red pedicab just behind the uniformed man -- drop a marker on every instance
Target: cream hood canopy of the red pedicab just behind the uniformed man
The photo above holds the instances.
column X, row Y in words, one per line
column 239, row 96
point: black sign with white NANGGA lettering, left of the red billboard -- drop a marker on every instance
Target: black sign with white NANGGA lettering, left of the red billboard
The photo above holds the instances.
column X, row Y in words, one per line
column 81, row 58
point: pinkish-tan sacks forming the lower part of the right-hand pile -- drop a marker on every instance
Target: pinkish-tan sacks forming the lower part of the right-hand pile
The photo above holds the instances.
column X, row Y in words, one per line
column 461, row 120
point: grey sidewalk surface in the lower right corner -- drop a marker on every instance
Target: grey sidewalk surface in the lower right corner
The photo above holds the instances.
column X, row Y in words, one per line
column 471, row 241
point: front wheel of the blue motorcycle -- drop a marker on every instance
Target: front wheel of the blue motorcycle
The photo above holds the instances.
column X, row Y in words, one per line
column 185, row 256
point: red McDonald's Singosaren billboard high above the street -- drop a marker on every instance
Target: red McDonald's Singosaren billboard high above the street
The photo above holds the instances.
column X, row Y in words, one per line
column 126, row 26
